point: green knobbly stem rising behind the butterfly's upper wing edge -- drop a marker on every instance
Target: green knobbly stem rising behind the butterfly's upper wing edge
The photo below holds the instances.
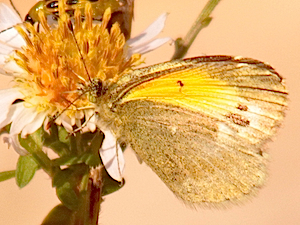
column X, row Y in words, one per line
column 203, row 20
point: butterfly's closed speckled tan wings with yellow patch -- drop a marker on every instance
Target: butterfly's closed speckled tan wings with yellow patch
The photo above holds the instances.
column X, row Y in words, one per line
column 201, row 123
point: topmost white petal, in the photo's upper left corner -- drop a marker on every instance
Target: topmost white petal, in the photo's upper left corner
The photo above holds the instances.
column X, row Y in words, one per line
column 8, row 17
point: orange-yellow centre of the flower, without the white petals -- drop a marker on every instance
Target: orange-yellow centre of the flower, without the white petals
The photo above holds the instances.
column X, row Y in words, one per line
column 59, row 61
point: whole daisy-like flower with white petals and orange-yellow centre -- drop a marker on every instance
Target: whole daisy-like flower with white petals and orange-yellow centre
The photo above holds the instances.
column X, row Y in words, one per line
column 52, row 78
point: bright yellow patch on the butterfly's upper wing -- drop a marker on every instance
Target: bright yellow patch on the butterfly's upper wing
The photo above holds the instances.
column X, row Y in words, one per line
column 191, row 88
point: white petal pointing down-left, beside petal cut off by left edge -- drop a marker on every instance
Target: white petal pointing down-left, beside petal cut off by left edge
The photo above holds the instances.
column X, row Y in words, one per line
column 26, row 116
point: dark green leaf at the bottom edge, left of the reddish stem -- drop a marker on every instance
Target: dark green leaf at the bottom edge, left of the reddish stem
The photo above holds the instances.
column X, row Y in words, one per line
column 60, row 214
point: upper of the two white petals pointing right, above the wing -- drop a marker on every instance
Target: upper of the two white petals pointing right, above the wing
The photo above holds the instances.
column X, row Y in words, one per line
column 151, row 32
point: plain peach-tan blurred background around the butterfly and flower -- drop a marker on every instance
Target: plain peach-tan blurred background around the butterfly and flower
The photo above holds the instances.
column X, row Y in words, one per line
column 268, row 30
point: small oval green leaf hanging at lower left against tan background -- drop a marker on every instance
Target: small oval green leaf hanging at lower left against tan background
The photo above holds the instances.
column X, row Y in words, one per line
column 26, row 168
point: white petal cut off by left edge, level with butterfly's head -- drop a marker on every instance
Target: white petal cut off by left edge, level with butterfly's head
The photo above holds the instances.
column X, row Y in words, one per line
column 7, row 97
